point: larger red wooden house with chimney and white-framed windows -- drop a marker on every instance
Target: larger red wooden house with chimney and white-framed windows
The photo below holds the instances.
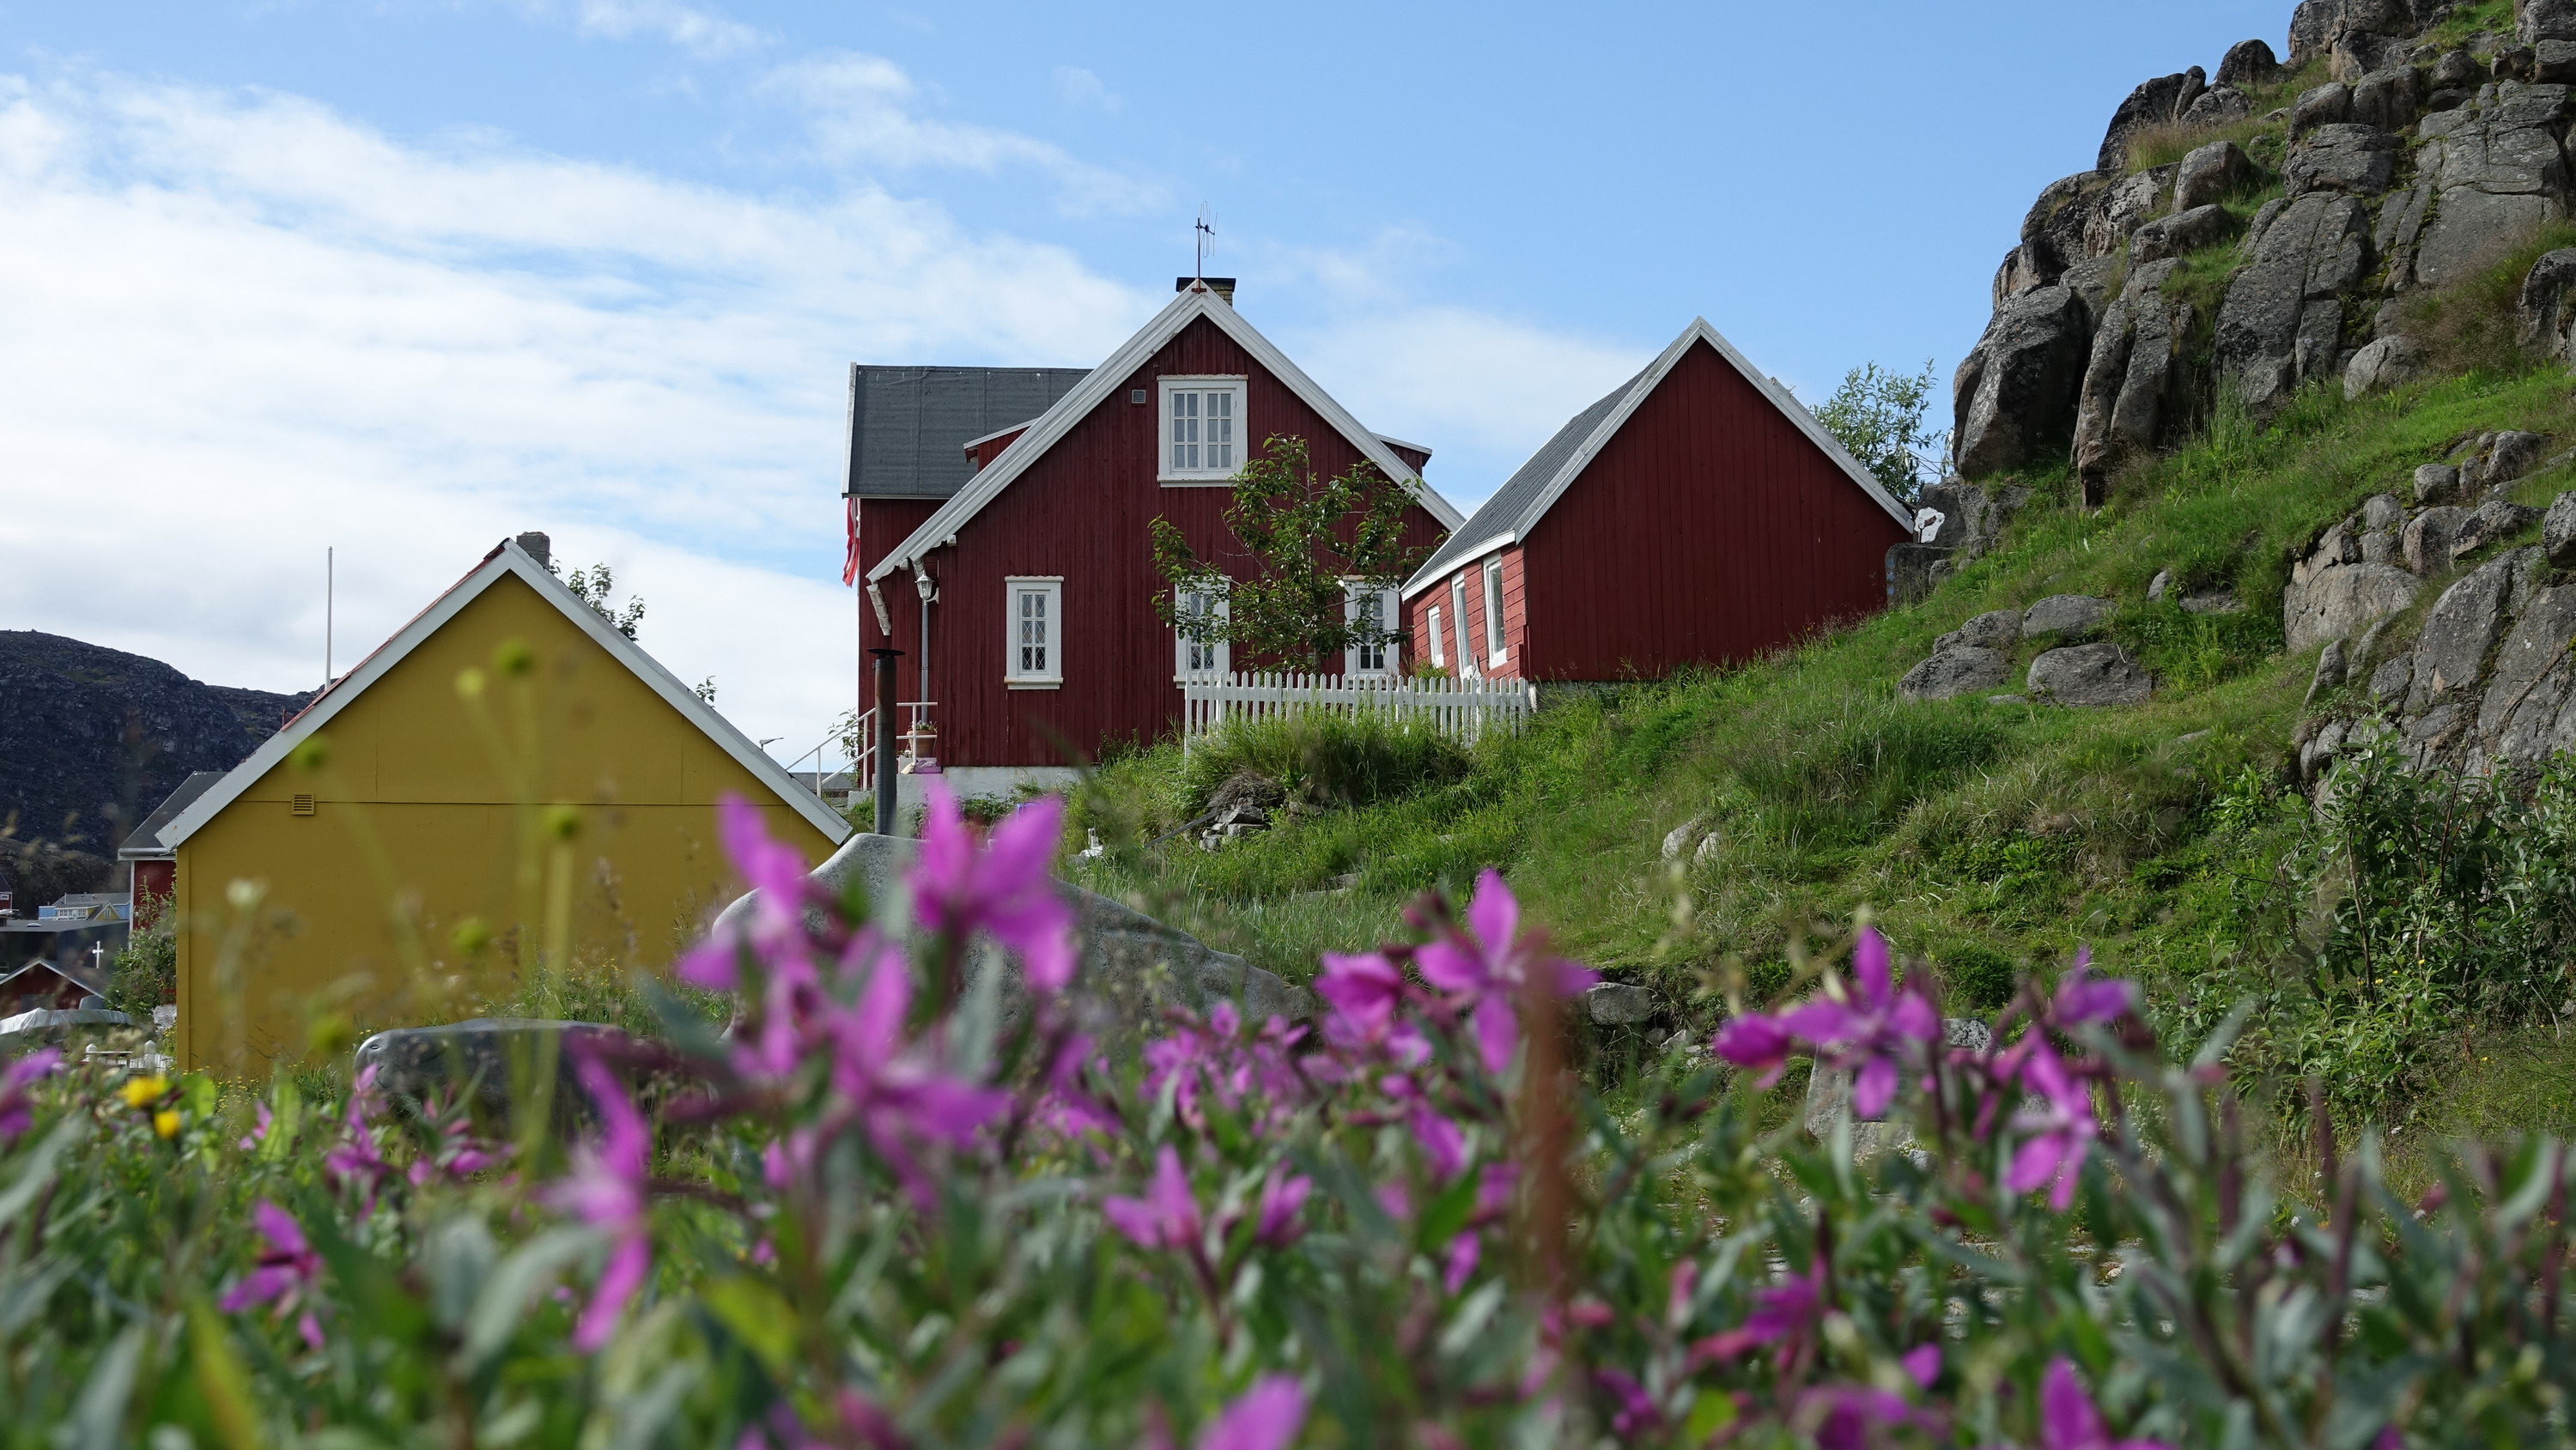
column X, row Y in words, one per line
column 1024, row 599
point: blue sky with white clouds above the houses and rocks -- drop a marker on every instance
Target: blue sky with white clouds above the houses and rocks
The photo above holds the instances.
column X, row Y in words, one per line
column 406, row 277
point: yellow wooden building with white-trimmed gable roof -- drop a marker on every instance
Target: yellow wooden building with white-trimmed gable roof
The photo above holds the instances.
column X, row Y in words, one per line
column 501, row 784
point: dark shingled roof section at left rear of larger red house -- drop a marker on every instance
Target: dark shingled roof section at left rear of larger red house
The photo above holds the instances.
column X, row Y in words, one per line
column 911, row 426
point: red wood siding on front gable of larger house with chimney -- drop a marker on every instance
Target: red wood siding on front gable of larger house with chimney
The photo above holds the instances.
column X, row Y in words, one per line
column 1083, row 514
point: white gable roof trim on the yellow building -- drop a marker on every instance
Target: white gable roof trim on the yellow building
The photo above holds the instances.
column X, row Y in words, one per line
column 509, row 560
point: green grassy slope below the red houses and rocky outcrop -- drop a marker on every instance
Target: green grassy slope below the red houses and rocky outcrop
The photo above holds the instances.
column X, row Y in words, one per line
column 1985, row 838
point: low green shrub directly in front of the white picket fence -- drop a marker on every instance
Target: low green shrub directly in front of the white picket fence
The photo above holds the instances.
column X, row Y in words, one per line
column 1323, row 758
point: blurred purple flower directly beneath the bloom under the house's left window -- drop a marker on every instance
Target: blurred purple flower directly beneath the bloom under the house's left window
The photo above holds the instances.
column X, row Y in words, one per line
column 898, row 1093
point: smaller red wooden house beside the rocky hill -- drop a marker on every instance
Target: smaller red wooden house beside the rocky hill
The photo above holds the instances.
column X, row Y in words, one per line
column 1696, row 516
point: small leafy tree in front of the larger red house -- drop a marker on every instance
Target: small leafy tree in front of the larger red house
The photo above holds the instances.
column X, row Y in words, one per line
column 1310, row 545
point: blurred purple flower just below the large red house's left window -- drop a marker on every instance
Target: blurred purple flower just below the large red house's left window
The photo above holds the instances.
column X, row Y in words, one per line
column 1001, row 890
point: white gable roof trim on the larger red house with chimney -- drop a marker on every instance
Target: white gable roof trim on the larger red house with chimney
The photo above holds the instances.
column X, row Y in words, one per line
column 1094, row 390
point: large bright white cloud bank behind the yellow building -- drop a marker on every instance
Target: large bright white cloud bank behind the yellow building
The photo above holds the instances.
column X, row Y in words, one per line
column 241, row 328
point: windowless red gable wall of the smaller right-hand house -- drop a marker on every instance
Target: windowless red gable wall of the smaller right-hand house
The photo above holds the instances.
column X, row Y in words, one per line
column 1709, row 529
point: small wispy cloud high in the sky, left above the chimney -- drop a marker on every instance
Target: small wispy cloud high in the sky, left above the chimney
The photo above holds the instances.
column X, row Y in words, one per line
column 867, row 112
